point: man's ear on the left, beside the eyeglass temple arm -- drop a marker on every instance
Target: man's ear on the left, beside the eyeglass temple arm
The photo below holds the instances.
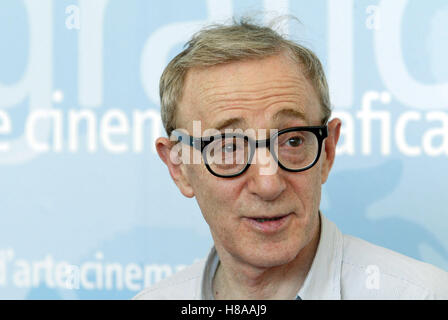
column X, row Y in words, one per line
column 171, row 156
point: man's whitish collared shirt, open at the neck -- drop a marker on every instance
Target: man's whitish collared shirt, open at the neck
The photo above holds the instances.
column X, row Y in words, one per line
column 344, row 267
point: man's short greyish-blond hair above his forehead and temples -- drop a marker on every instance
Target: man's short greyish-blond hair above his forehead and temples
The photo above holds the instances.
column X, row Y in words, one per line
column 242, row 40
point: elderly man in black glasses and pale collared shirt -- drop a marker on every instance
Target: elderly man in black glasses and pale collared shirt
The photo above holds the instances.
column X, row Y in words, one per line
column 256, row 170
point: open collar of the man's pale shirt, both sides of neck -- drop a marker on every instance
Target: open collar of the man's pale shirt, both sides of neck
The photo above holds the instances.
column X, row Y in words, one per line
column 323, row 280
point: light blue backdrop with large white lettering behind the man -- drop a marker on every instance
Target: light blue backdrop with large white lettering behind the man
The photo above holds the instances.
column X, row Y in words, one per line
column 89, row 210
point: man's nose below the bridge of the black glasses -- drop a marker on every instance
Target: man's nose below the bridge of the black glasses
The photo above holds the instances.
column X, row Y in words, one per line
column 265, row 179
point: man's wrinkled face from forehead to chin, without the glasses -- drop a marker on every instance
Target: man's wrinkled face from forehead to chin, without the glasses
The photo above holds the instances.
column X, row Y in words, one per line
column 271, row 93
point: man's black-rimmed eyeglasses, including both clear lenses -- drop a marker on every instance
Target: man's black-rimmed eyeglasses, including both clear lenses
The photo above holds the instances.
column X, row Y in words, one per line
column 228, row 155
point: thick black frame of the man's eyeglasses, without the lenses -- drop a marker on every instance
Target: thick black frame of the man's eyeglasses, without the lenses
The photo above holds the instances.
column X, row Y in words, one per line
column 200, row 143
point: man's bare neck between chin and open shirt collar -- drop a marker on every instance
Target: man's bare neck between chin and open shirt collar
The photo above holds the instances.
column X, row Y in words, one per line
column 241, row 281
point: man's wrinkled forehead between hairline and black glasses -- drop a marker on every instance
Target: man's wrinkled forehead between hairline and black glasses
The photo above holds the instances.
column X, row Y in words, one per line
column 255, row 93
